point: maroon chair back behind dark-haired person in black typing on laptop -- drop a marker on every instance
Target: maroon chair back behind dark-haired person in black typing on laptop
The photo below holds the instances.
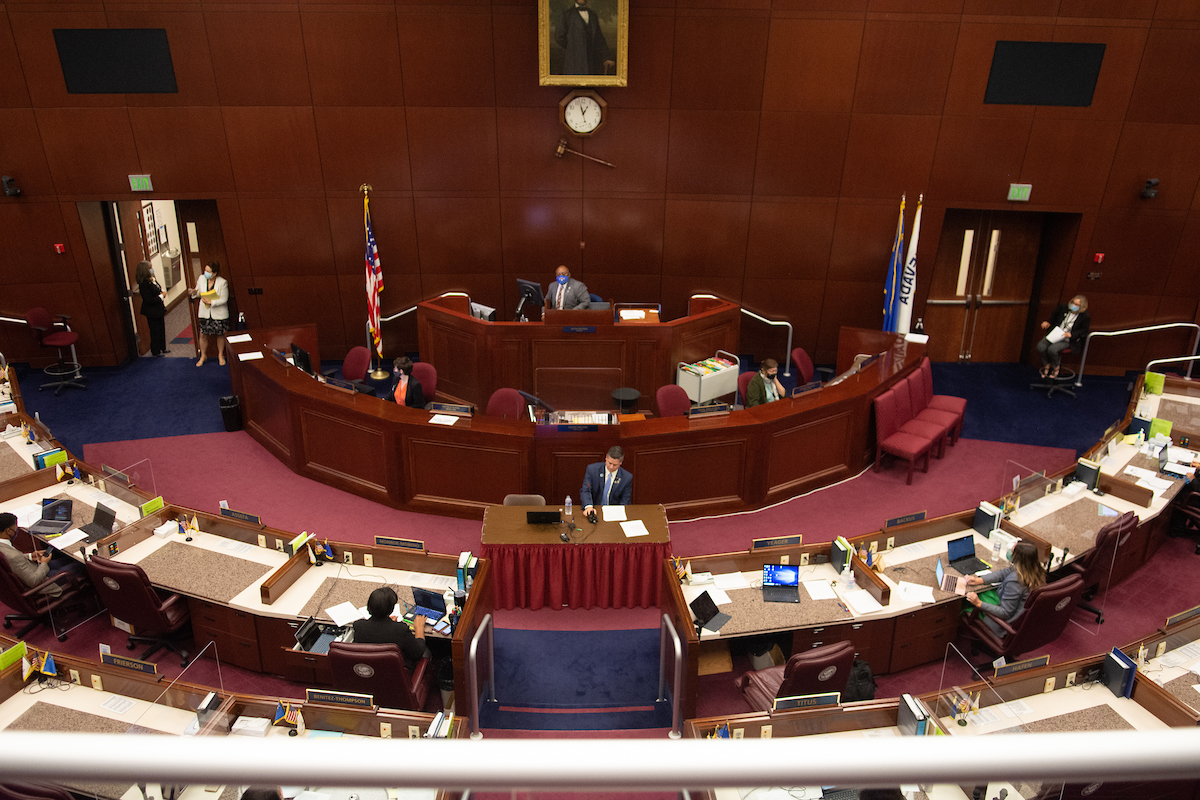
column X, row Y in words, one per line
column 379, row 670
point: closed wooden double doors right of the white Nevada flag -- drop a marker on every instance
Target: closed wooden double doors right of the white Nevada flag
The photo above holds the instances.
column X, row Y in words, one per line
column 980, row 296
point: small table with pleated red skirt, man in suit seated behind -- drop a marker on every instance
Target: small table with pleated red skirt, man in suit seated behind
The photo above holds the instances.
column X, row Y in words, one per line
column 598, row 569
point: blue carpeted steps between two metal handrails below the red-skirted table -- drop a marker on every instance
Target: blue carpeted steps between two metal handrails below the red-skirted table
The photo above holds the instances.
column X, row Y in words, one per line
column 577, row 681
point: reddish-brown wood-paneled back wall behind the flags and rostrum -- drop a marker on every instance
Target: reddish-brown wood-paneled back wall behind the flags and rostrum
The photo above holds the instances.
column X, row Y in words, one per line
column 761, row 149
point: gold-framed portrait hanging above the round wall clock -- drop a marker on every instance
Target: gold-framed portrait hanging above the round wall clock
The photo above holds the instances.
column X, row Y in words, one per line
column 584, row 43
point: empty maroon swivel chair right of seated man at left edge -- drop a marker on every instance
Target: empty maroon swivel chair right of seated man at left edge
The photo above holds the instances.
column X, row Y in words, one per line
column 129, row 596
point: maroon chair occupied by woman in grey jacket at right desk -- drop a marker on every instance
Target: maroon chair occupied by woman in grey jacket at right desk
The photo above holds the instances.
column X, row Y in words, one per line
column 1047, row 612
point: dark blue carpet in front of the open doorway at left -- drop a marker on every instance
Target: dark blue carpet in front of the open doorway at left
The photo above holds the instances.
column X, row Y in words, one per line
column 143, row 400
